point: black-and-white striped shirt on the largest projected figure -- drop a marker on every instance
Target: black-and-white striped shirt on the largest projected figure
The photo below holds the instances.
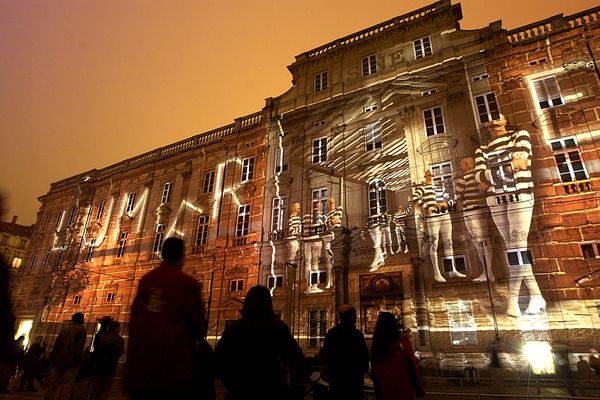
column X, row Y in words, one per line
column 493, row 164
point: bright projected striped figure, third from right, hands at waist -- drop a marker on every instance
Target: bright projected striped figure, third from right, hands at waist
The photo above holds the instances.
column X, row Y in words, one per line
column 436, row 204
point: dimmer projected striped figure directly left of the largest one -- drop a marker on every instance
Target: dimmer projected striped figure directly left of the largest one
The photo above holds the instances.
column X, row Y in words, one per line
column 475, row 214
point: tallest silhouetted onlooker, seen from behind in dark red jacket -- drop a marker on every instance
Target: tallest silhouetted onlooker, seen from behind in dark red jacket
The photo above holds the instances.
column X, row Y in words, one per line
column 167, row 324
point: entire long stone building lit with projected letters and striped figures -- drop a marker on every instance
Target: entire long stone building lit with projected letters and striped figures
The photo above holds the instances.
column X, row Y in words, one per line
column 391, row 129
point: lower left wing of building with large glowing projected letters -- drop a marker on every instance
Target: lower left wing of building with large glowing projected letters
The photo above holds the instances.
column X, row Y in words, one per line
column 100, row 231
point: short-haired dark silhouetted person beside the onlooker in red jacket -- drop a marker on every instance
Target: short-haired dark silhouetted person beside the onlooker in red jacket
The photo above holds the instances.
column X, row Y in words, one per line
column 346, row 356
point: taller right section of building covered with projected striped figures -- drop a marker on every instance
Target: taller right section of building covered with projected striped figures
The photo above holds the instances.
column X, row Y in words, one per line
column 370, row 115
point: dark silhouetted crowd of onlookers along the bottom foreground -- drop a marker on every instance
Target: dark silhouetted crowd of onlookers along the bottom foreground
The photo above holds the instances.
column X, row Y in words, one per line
column 168, row 356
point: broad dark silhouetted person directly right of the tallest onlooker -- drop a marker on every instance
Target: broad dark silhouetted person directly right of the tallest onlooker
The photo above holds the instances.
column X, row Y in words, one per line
column 251, row 351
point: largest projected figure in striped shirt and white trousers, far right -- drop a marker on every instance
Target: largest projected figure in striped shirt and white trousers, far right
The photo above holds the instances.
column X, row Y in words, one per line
column 503, row 170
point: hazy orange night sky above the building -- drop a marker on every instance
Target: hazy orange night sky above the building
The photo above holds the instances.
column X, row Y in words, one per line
column 84, row 84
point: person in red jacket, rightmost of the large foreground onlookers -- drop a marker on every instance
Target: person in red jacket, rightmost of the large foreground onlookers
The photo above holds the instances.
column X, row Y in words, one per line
column 394, row 367
